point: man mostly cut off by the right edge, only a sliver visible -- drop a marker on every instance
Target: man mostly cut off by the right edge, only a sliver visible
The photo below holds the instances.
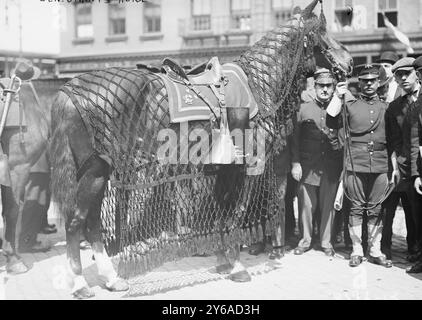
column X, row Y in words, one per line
column 416, row 161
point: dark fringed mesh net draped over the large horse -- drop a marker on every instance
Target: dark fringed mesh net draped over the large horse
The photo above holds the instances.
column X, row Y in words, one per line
column 155, row 212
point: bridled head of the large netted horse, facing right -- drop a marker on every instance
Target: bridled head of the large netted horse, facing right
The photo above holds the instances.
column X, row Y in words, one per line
column 327, row 51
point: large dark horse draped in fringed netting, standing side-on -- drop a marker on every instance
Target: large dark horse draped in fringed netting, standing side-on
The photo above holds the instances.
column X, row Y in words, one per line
column 107, row 123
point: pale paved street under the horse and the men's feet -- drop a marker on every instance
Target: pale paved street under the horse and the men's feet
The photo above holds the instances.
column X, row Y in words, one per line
column 311, row 276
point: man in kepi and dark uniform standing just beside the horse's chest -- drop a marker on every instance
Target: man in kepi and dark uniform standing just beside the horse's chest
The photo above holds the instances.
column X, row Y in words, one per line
column 316, row 164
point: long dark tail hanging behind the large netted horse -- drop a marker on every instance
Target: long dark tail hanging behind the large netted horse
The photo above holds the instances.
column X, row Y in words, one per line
column 63, row 174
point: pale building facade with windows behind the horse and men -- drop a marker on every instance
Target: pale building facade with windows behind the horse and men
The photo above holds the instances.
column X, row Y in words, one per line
column 124, row 33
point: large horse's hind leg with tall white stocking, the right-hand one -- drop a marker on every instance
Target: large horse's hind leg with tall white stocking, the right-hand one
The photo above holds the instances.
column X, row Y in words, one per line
column 90, row 195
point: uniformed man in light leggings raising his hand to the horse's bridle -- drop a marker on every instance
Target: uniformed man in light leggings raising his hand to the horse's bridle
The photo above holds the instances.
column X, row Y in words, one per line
column 367, row 162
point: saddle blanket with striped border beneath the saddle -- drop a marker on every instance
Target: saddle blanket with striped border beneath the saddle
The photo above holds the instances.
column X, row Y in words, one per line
column 185, row 105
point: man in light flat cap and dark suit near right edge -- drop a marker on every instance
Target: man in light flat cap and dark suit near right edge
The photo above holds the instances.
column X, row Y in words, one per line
column 402, row 132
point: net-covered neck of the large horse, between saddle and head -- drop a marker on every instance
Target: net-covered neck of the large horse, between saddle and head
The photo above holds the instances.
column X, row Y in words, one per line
column 275, row 65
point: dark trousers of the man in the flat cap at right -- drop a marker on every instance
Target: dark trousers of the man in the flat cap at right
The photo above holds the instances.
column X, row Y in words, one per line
column 411, row 206
